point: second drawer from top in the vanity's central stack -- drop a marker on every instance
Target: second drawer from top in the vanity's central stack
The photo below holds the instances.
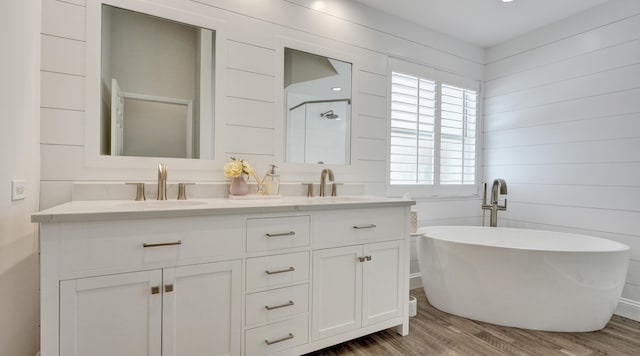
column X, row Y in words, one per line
column 277, row 270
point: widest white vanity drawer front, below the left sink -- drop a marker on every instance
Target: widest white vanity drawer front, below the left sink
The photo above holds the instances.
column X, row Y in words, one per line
column 111, row 247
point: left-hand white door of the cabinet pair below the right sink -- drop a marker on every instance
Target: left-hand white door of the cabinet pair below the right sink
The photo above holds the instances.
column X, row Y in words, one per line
column 337, row 291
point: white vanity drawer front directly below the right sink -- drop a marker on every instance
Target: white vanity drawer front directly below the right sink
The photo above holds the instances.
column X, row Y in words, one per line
column 336, row 228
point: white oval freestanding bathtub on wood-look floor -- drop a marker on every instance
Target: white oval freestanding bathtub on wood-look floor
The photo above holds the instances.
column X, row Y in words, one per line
column 529, row 279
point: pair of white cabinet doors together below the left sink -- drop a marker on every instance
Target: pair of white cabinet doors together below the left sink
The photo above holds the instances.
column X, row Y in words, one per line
column 188, row 310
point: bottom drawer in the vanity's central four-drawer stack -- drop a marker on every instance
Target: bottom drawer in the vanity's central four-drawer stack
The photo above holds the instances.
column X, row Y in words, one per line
column 273, row 338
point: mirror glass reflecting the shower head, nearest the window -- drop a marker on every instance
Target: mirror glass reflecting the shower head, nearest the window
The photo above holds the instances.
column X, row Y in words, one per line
column 317, row 95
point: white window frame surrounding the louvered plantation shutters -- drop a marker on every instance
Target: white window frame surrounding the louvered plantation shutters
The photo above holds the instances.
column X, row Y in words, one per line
column 436, row 189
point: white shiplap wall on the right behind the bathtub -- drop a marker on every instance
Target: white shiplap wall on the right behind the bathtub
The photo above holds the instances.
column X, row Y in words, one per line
column 562, row 126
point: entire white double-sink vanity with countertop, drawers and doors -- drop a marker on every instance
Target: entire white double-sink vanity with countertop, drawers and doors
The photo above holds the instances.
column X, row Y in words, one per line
column 221, row 279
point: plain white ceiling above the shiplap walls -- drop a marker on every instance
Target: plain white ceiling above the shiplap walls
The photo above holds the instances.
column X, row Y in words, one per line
column 483, row 23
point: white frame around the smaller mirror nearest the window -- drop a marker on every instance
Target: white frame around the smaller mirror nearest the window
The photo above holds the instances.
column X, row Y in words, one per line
column 280, row 134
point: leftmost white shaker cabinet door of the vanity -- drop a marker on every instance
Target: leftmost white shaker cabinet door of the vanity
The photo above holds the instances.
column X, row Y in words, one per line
column 111, row 315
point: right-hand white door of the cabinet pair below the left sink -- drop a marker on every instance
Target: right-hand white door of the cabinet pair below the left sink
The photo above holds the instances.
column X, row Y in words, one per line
column 202, row 310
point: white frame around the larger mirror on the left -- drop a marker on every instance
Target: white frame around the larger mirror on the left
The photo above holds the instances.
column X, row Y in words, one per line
column 92, row 156
